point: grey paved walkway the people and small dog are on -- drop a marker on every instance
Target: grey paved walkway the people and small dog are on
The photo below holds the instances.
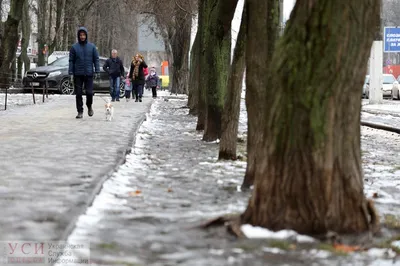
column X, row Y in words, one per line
column 51, row 163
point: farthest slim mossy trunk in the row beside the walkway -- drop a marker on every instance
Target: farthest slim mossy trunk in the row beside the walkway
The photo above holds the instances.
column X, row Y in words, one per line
column 194, row 76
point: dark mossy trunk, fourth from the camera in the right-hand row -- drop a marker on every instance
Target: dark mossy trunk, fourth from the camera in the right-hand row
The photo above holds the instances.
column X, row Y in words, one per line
column 218, row 18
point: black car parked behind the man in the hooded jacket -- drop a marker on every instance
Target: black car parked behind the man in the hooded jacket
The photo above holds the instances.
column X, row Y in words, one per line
column 56, row 75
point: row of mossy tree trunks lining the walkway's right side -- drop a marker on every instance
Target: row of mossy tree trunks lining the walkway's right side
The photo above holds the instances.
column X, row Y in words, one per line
column 303, row 104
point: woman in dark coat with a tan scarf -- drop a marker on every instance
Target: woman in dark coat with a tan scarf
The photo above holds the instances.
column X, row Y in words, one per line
column 137, row 75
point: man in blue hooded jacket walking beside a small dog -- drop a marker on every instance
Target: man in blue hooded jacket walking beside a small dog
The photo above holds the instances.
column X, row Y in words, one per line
column 83, row 57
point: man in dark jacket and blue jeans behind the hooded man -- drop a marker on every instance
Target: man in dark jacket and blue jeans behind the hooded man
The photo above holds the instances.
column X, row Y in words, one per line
column 115, row 69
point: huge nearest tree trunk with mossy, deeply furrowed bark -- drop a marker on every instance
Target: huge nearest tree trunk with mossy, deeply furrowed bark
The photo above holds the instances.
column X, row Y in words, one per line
column 309, row 175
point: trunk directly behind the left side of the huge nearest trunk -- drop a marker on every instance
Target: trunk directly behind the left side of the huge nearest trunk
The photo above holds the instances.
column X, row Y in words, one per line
column 264, row 20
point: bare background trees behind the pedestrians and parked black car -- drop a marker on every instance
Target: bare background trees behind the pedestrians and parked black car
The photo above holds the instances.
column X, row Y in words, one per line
column 111, row 24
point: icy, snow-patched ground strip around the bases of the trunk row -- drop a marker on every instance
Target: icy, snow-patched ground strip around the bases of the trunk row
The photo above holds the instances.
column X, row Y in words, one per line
column 147, row 212
